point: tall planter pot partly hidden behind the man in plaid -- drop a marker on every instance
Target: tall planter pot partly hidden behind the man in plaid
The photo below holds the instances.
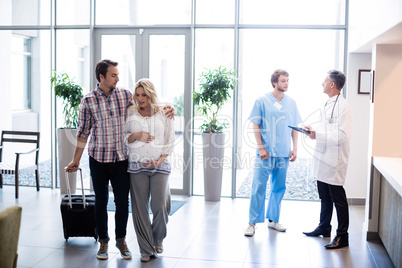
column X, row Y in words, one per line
column 66, row 141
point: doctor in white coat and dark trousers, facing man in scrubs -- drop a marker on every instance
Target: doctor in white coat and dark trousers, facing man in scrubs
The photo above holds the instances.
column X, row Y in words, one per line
column 331, row 160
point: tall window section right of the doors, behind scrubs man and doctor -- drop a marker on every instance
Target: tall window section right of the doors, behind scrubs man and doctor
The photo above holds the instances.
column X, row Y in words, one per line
column 305, row 38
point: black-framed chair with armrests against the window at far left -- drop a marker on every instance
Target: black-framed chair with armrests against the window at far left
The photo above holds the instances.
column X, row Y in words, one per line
column 19, row 166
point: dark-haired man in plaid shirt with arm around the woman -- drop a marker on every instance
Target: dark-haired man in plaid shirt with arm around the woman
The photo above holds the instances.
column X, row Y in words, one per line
column 102, row 116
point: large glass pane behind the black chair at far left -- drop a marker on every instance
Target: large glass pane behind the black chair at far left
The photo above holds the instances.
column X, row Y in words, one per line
column 26, row 97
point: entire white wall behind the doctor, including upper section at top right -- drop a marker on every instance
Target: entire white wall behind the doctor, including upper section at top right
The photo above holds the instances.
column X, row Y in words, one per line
column 368, row 19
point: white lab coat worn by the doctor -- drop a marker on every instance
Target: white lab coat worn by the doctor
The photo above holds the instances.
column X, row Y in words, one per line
column 333, row 142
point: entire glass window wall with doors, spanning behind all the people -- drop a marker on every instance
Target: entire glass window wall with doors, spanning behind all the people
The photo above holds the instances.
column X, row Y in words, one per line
column 252, row 37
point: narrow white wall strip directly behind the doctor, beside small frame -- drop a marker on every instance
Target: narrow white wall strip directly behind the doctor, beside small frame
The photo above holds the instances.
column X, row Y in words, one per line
column 356, row 178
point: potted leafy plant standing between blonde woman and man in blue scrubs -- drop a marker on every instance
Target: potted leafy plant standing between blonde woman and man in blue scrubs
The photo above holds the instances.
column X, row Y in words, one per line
column 215, row 89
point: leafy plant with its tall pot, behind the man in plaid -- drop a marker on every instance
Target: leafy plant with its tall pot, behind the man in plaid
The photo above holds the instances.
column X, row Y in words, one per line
column 71, row 93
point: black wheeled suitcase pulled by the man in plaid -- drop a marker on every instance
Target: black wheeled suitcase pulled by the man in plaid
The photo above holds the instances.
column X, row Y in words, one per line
column 78, row 213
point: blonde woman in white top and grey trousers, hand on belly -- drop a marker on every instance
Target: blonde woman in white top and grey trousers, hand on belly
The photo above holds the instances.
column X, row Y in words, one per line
column 150, row 139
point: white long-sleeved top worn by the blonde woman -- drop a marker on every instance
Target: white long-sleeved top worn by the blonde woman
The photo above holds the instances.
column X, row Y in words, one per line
column 158, row 125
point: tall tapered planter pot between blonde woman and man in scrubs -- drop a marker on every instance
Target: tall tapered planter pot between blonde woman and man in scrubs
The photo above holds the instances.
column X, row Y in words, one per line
column 213, row 153
